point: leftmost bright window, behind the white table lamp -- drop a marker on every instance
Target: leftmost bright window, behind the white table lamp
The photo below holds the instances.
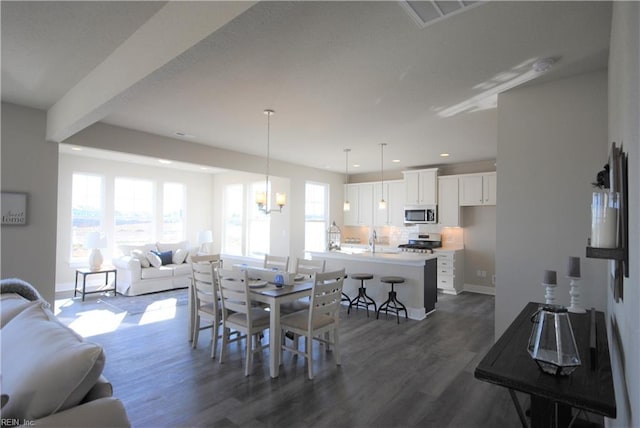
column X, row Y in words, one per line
column 86, row 210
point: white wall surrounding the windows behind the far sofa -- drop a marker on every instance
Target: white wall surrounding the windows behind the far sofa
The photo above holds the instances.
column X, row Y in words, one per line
column 200, row 198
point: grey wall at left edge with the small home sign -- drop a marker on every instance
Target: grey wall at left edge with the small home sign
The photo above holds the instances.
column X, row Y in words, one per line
column 30, row 165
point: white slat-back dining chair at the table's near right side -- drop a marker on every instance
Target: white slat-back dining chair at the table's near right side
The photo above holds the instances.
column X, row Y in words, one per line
column 323, row 316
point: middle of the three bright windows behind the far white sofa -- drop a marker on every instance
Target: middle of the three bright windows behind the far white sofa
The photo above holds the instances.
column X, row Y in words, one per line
column 134, row 211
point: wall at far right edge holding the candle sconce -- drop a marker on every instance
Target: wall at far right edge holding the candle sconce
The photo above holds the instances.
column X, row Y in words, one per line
column 624, row 127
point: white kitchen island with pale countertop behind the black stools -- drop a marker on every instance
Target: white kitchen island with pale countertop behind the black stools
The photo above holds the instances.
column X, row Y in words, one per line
column 419, row 291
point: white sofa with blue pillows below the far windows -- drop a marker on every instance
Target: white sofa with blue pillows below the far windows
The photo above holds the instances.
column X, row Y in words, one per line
column 140, row 273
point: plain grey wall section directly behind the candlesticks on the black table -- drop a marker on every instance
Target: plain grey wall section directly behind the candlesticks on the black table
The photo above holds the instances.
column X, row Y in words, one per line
column 550, row 146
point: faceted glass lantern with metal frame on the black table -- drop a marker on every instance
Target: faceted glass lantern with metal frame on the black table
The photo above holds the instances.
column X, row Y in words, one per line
column 552, row 344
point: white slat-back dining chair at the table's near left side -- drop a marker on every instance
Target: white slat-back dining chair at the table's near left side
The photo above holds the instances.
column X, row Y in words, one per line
column 238, row 314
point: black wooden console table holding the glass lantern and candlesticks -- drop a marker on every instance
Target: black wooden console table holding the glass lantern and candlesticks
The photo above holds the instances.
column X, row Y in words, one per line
column 589, row 387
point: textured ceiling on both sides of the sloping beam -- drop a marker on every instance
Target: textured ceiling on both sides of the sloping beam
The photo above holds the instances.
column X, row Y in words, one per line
column 338, row 74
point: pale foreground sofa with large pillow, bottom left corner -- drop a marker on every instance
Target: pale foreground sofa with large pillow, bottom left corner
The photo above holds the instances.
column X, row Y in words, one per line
column 51, row 376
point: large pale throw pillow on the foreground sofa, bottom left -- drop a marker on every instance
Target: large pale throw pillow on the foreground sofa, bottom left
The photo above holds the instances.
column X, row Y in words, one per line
column 55, row 373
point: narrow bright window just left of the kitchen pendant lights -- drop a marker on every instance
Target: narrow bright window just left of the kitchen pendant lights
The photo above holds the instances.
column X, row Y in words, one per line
column 316, row 216
